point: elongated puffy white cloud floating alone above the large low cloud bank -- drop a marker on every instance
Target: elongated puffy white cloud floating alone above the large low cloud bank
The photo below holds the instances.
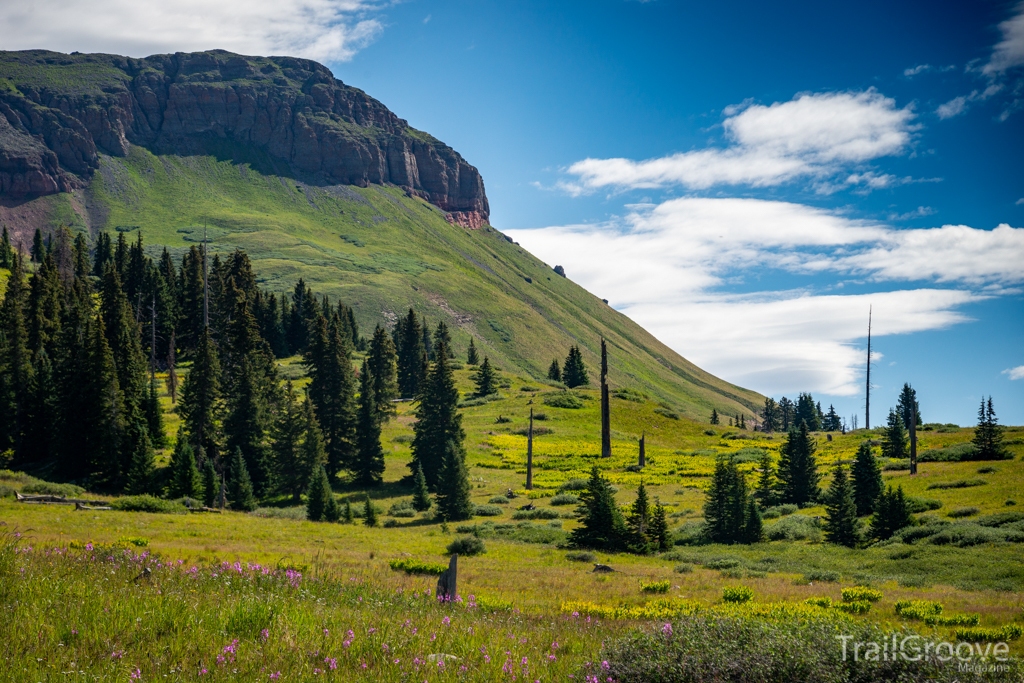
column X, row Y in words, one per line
column 813, row 136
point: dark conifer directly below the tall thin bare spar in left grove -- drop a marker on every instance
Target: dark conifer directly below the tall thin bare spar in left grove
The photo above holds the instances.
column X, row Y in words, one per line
column 201, row 397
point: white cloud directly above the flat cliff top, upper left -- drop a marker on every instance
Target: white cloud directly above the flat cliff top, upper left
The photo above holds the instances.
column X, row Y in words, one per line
column 323, row 30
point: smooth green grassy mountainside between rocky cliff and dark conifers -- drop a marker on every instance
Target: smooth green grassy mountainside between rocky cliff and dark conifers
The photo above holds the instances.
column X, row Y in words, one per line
column 383, row 252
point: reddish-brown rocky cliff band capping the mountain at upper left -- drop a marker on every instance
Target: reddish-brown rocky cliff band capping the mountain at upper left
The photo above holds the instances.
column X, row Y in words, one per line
column 58, row 112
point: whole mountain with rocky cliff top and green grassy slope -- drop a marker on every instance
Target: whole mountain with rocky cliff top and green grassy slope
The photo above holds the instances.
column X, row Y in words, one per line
column 314, row 179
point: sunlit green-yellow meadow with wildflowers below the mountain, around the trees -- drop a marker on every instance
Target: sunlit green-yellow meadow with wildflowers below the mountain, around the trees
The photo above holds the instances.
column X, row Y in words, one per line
column 529, row 592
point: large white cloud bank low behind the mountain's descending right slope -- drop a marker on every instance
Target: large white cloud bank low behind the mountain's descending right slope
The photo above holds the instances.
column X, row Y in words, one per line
column 666, row 267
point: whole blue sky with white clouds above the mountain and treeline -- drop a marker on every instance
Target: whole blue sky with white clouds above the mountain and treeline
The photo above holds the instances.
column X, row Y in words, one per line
column 743, row 179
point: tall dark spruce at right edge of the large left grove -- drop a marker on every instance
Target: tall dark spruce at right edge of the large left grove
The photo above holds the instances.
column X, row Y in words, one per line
column 439, row 422
